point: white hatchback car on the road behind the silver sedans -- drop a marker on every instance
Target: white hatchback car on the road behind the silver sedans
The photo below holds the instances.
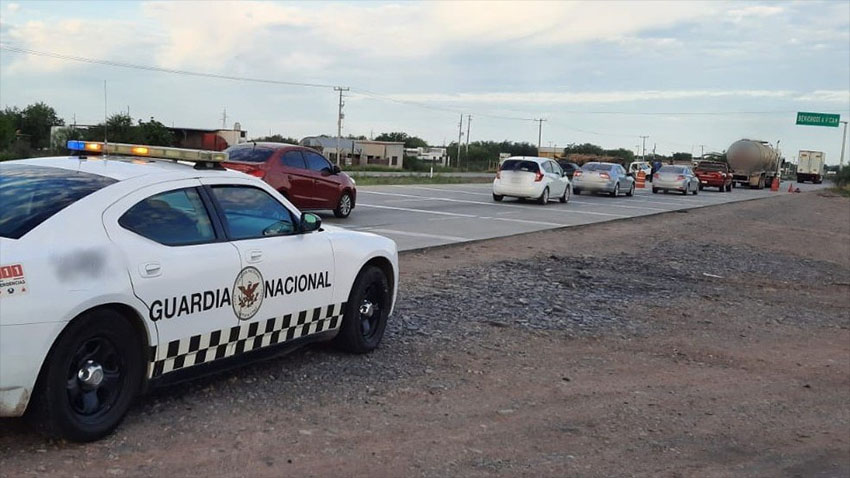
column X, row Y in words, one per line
column 530, row 177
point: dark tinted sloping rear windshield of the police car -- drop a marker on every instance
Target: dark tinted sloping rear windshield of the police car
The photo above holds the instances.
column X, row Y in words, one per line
column 32, row 194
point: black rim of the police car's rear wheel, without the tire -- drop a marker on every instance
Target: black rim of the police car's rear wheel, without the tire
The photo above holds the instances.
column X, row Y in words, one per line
column 95, row 378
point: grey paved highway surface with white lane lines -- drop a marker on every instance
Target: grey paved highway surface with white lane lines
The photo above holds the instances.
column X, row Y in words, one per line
column 431, row 215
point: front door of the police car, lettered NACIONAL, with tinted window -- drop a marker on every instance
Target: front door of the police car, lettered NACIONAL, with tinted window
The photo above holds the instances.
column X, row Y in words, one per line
column 285, row 287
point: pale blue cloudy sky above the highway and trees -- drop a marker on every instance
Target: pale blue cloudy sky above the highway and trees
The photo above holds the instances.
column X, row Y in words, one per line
column 684, row 73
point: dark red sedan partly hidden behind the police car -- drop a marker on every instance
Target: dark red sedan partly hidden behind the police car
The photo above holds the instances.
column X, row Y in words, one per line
column 301, row 174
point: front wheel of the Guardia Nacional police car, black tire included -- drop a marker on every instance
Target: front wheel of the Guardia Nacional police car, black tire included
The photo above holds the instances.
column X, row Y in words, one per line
column 361, row 329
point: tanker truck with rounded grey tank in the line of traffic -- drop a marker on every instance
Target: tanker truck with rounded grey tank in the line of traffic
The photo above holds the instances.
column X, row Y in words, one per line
column 753, row 163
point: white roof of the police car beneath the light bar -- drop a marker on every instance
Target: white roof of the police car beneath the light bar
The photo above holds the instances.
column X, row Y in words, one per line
column 124, row 167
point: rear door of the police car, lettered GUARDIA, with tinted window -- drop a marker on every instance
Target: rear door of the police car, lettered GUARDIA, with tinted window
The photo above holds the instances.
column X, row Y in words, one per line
column 182, row 267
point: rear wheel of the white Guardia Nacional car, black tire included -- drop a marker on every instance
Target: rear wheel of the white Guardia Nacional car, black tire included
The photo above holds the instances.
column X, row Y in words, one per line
column 65, row 406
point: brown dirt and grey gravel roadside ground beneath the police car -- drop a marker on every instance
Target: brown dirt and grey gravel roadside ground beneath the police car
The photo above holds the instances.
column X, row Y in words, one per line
column 713, row 342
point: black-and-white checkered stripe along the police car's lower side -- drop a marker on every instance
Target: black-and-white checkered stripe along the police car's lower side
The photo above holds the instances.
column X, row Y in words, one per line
column 218, row 344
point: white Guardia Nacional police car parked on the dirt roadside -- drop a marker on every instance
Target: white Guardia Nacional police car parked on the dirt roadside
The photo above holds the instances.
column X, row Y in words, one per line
column 120, row 270
